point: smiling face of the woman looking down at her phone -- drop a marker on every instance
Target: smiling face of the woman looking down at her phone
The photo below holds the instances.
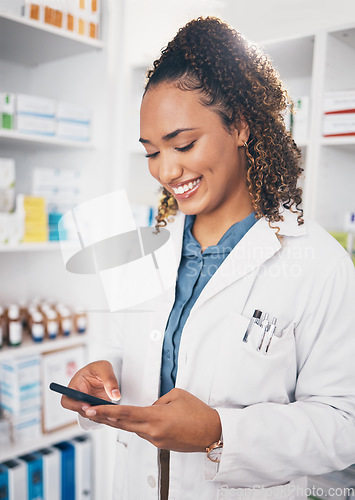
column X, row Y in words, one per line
column 192, row 154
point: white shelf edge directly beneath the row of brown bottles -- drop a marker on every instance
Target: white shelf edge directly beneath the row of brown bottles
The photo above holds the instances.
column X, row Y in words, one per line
column 29, row 347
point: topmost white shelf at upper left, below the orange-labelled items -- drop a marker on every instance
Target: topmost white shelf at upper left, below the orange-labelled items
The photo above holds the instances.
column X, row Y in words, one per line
column 47, row 43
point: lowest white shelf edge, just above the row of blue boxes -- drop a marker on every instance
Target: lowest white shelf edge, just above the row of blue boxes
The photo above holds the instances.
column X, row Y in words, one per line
column 15, row 450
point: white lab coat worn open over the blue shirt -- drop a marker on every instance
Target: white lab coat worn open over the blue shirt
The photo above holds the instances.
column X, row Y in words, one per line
column 285, row 414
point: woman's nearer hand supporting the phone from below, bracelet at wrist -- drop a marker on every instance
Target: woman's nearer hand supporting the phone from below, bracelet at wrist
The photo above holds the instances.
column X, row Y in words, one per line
column 177, row 421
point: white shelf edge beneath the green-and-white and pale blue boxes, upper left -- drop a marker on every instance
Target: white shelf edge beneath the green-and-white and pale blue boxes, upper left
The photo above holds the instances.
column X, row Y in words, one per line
column 18, row 139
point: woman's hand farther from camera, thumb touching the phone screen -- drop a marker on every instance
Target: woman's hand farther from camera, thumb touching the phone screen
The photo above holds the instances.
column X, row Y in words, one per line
column 96, row 379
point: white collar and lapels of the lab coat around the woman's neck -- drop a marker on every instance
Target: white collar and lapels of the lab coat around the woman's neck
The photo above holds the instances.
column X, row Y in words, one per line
column 258, row 245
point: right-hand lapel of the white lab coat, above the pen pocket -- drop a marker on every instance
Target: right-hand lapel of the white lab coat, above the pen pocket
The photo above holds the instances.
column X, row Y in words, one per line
column 258, row 245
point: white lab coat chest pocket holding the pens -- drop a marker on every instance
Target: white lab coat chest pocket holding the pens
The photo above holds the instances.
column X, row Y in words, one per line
column 243, row 375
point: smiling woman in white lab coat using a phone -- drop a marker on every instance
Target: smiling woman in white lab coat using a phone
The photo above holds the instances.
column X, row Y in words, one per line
column 238, row 409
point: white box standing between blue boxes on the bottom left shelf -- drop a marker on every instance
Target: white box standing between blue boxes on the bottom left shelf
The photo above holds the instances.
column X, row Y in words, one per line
column 52, row 487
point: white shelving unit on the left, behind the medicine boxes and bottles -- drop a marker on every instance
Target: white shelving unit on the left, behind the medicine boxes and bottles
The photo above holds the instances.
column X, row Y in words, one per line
column 38, row 59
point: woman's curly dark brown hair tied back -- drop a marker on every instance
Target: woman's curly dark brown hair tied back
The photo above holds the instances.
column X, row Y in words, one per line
column 237, row 81
